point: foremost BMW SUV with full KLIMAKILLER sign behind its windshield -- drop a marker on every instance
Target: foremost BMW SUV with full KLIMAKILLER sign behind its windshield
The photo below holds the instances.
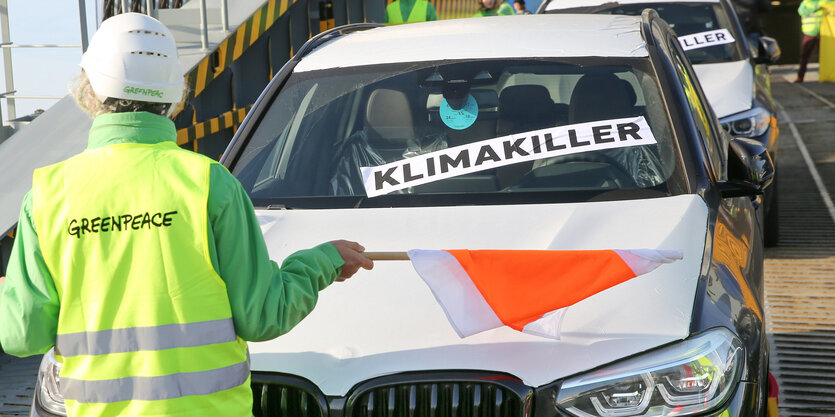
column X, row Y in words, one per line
column 476, row 134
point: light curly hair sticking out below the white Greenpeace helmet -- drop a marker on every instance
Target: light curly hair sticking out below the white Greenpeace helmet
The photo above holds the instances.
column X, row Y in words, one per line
column 85, row 97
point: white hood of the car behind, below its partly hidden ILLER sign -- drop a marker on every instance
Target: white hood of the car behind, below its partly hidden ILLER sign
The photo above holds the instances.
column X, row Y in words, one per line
column 729, row 86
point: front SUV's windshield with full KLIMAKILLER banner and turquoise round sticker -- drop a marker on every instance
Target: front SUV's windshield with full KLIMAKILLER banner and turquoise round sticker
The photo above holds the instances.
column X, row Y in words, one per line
column 466, row 132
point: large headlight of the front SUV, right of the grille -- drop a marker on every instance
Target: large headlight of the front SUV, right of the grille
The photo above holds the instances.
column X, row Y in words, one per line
column 689, row 377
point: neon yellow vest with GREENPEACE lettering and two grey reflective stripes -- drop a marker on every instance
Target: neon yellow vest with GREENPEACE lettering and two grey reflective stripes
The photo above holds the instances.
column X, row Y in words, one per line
column 145, row 326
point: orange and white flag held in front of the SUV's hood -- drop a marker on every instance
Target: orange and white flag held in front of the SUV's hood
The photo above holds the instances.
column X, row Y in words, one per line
column 527, row 290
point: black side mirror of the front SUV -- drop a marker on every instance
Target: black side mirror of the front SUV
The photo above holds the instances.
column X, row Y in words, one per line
column 750, row 169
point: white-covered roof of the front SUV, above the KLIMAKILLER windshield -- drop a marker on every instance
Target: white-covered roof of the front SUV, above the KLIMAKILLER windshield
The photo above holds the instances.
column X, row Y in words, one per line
column 528, row 36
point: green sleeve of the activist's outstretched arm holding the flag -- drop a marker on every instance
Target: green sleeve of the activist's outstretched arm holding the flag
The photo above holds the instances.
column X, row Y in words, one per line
column 267, row 301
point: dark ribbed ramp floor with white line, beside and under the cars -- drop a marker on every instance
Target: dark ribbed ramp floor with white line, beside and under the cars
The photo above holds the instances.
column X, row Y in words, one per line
column 800, row 270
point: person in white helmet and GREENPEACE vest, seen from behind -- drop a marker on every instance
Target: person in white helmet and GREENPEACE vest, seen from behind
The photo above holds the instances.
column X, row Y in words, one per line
column 143, row 263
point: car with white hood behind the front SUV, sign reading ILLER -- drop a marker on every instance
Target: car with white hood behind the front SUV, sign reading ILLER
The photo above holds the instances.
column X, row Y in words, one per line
column 731, row 67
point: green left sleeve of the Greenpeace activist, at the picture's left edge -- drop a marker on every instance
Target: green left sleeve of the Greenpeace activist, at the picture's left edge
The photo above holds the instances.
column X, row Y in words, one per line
column 29, row 303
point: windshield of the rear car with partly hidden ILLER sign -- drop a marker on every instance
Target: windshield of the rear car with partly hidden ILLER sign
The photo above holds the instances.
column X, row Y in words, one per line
column 686, row 19
